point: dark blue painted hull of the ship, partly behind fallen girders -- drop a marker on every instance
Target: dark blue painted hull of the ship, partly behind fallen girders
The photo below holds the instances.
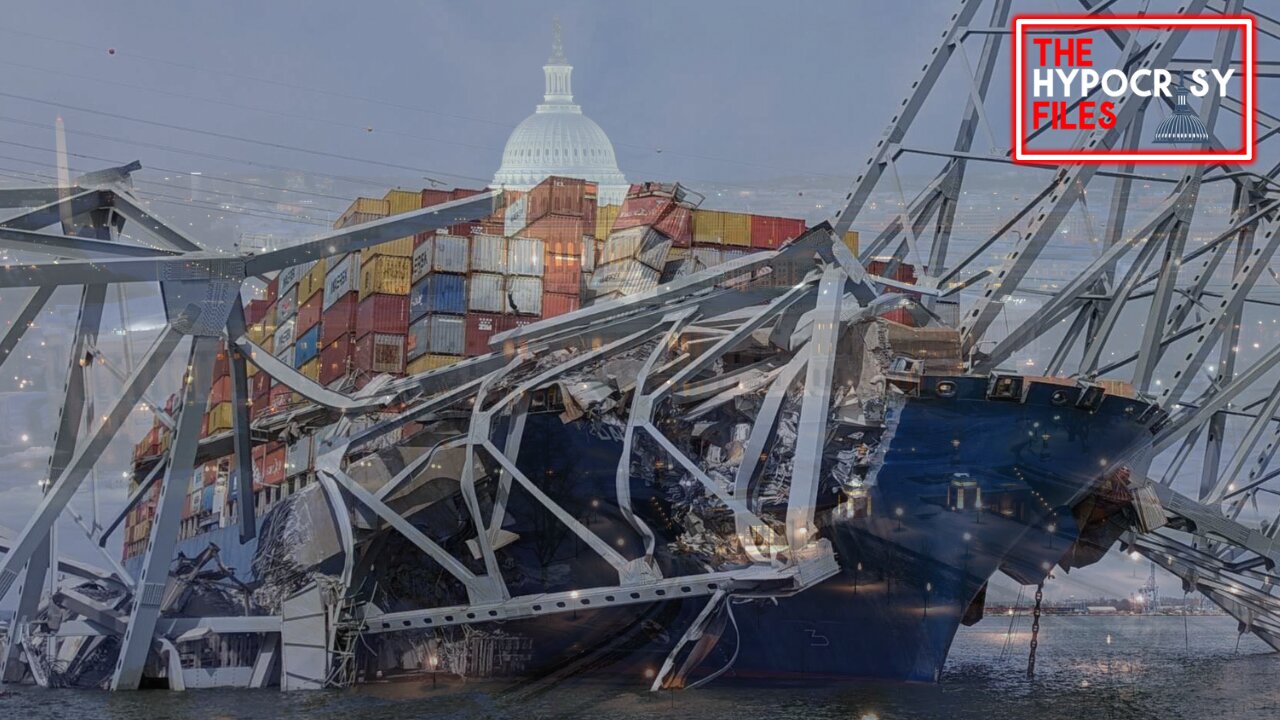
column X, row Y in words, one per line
column 911, row 569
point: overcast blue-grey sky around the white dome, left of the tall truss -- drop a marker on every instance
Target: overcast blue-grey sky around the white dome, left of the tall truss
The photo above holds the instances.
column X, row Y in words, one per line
column 710, row 92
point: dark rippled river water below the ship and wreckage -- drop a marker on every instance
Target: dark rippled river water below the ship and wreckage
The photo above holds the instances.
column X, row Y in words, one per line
column 1153, row 668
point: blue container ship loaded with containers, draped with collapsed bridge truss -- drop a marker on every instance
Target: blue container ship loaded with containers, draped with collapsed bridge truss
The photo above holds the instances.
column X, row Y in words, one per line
column 646, row 526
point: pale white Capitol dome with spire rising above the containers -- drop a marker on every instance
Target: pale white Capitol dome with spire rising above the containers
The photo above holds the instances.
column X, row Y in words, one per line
column 560, row 140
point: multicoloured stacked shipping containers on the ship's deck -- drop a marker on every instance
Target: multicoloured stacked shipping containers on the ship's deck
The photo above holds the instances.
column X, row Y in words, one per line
column 418, row 304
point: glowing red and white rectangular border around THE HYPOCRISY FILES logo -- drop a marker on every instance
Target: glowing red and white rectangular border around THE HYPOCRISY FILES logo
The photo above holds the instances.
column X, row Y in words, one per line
column 1244, row 24
